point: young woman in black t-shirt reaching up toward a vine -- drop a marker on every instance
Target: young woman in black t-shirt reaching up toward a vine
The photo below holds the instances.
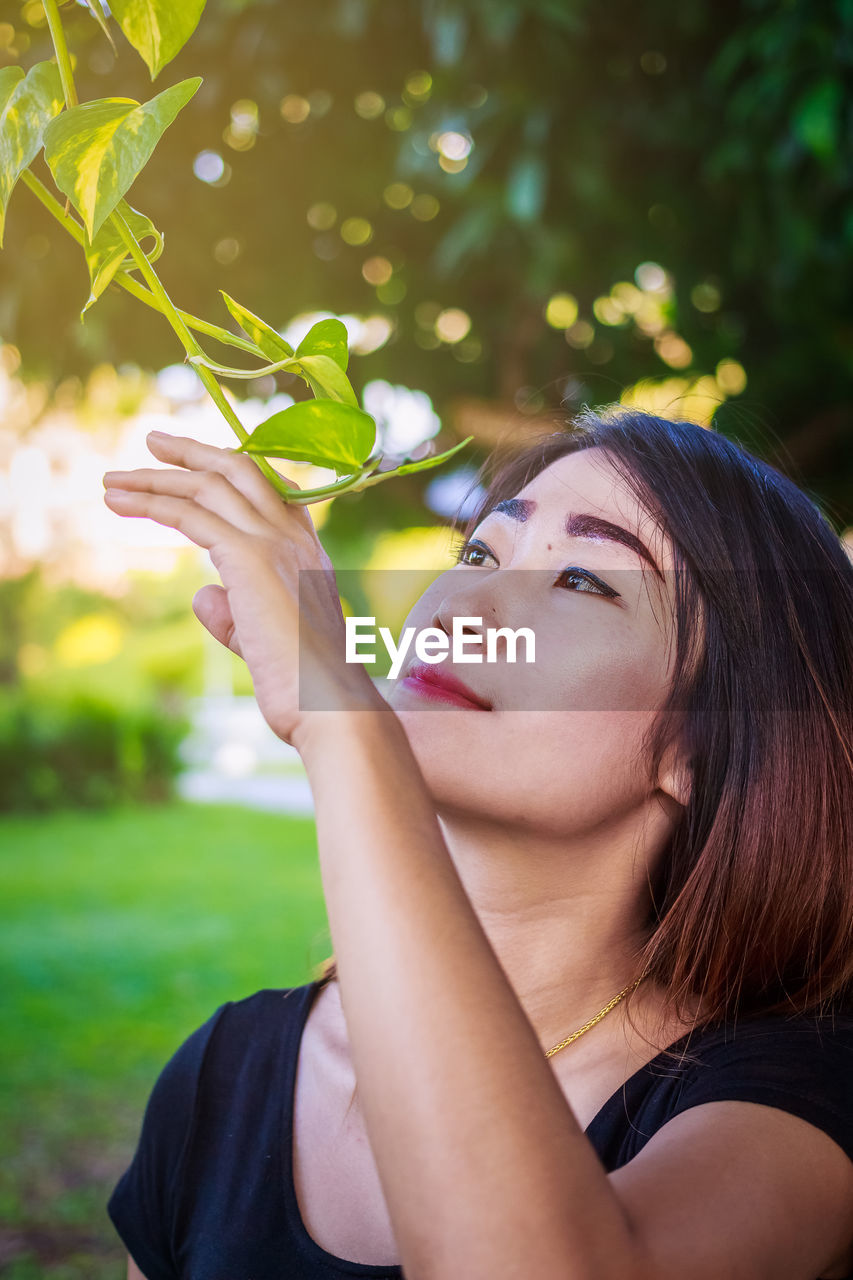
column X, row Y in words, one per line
column 592, row 915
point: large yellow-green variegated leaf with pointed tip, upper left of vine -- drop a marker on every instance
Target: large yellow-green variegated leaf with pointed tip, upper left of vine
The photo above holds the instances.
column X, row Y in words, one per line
column 95, row 152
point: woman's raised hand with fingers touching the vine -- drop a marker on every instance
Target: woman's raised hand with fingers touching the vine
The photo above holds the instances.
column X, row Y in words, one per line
column 289, row 629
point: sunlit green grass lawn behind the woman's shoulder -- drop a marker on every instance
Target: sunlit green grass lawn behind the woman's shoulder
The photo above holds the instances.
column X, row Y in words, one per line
column 121, row 932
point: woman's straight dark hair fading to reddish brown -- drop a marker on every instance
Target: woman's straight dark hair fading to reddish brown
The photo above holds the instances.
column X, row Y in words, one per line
column 751, row 908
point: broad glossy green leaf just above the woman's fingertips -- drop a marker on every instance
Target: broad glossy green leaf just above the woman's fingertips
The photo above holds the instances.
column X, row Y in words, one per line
column 323, row 432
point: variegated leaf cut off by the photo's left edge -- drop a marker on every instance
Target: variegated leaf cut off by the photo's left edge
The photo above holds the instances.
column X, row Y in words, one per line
column 28, row 104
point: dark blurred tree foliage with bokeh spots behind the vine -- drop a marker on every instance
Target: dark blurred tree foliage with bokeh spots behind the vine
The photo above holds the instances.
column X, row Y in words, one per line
column 711, row 138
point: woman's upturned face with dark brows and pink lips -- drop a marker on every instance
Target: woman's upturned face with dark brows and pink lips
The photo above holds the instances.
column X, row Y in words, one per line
column 560, row 747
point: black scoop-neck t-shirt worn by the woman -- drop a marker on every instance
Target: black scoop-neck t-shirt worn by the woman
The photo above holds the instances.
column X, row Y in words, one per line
column 209, row 1195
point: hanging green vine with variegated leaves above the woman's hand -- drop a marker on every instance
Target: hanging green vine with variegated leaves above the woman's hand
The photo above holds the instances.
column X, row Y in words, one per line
column 95, row 152
